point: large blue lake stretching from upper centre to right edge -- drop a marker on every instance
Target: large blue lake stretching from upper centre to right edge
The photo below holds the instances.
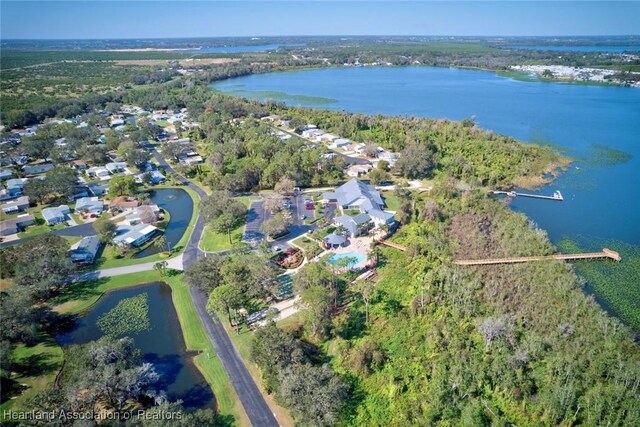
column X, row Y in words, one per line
column 599, row 126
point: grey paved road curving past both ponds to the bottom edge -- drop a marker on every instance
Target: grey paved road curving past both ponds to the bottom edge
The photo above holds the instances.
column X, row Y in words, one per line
column 254, row 404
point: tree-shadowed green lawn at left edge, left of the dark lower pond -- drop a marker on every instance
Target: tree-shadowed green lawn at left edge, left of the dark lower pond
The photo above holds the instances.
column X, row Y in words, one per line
column 36, row 368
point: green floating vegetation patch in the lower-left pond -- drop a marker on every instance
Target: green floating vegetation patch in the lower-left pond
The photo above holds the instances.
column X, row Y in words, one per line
column 130, row 316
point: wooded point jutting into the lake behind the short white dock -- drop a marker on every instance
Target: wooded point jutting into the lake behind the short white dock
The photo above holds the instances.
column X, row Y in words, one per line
column 428, row 146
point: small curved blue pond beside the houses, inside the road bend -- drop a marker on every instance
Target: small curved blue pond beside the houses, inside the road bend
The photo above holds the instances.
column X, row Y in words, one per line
column 179, row 204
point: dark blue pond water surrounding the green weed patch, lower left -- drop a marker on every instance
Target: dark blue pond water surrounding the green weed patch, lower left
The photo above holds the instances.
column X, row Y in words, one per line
column 162, row 345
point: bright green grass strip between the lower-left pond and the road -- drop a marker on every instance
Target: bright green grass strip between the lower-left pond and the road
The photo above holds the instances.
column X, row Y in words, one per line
column 80, row 296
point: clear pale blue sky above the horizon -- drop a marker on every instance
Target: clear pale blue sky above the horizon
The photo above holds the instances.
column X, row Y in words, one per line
column 159, row 19
